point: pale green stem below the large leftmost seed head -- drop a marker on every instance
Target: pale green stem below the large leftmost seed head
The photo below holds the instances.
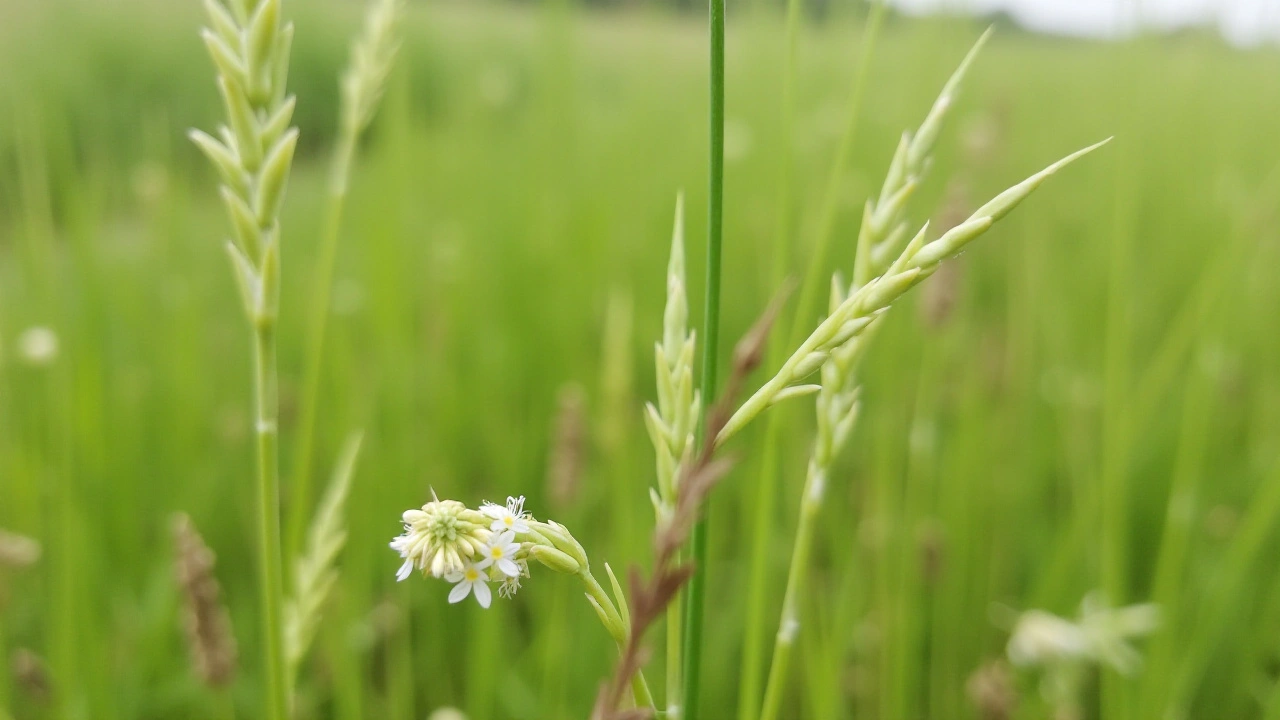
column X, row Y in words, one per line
column 269, row 514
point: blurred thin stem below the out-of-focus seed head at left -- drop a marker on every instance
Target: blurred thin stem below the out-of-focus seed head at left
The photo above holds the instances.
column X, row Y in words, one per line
column 322, row 289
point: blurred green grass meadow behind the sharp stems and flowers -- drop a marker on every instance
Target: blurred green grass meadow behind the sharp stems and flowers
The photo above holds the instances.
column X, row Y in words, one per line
column 505, row 253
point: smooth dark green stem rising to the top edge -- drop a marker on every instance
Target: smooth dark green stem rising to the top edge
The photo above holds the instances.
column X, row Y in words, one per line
column 711, row 347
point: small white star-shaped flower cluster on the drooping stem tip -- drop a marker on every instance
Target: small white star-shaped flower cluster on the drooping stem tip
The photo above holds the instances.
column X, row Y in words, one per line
column 476, row 548
